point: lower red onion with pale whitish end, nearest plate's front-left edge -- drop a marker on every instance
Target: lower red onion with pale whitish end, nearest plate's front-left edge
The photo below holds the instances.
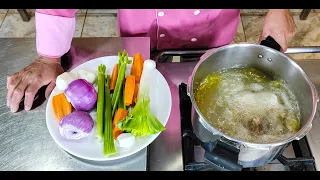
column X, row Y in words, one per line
column 76, row 125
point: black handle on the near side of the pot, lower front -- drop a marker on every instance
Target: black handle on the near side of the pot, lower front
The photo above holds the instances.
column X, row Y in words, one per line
column 222, row 156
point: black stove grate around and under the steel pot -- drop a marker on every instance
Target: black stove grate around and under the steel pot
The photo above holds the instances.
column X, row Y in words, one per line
column 303, row 160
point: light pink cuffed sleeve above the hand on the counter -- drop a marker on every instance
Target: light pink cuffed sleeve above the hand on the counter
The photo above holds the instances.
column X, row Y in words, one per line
column 54, row 31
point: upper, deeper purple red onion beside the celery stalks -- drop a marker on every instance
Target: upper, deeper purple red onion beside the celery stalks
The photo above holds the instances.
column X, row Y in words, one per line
column 81, row 95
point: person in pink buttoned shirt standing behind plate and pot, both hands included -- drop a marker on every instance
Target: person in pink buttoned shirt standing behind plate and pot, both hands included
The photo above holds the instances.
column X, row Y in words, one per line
column 167, row 29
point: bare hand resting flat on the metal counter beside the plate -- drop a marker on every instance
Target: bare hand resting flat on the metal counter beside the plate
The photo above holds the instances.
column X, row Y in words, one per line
column 43, row 71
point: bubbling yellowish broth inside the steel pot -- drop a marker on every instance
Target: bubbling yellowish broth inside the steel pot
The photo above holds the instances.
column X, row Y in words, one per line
column 247, row 105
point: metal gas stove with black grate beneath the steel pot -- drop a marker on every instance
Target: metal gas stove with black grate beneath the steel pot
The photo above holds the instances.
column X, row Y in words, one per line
column 176, row 148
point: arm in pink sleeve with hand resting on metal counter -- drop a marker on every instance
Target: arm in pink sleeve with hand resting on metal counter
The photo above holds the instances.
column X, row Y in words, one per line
column 54, row 32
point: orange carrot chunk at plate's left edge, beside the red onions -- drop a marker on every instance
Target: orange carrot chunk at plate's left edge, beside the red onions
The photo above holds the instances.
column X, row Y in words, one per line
column 61, row 106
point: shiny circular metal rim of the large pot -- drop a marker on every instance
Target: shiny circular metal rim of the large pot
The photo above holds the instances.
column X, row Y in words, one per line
column 297, row 136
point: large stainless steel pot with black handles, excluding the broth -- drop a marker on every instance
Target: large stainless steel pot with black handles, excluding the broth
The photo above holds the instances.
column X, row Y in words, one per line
column 226, row 152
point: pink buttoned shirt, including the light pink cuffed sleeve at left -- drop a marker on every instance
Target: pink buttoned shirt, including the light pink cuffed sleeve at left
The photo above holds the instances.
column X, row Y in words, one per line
column 168, row 29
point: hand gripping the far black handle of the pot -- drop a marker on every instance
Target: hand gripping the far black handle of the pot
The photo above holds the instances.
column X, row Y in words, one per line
column 279, row 24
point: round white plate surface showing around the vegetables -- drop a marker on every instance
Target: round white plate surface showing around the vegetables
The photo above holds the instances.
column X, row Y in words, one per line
column 89, row 148
